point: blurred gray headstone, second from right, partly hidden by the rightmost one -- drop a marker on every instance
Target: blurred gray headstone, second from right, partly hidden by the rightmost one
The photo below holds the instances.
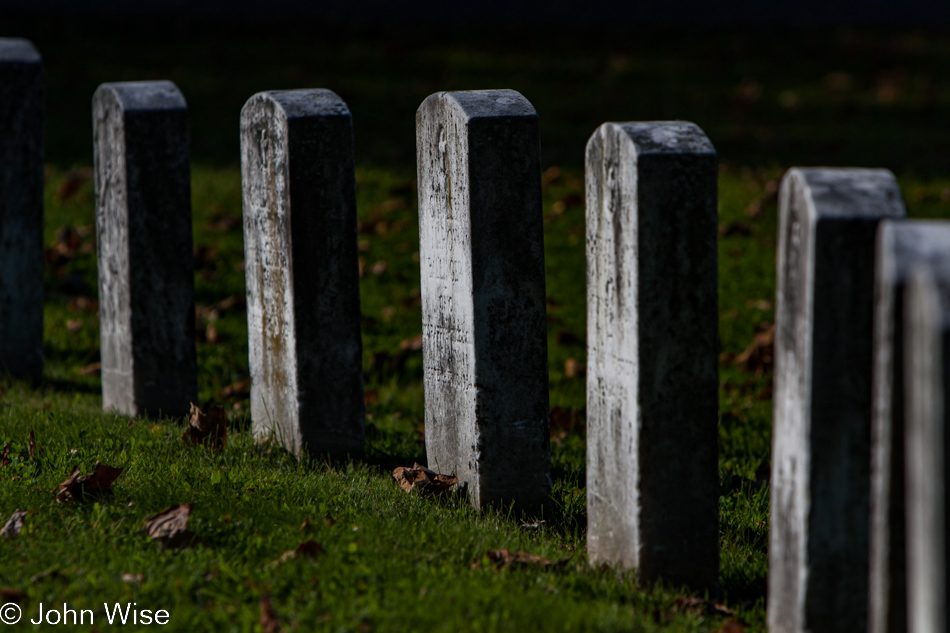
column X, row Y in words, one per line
column 901, row 246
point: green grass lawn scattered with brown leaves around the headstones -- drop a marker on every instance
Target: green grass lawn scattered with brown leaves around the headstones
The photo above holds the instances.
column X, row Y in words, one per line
column 368, row 556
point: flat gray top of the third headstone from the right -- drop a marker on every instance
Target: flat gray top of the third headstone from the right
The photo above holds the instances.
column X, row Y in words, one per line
column 849, row 192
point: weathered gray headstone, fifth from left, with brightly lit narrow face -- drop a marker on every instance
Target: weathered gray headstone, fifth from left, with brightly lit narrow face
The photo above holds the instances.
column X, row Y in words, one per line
column 652, row 352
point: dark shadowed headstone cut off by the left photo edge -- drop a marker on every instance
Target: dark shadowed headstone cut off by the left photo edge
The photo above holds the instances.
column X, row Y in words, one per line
column 21, row 209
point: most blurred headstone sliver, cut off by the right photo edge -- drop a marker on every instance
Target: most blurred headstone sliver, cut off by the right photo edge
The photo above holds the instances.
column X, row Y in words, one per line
column 927, row 383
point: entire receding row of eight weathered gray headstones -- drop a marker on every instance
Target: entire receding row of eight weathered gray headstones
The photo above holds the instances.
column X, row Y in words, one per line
column 837, row 548
